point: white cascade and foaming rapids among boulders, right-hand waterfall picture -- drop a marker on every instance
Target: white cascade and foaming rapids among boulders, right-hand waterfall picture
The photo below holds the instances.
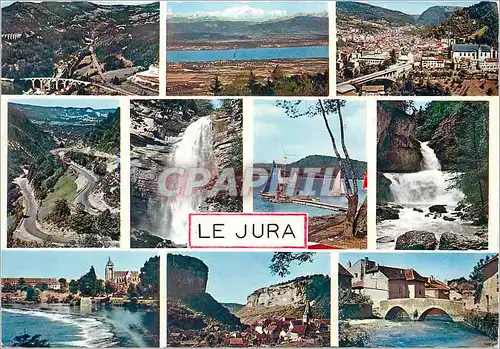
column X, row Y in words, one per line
column 419, row 190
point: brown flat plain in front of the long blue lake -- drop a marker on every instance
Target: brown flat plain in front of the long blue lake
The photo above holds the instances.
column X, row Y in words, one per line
column 195, row 78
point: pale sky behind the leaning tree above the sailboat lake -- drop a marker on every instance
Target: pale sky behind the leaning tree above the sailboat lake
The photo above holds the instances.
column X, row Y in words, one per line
column 275, row 133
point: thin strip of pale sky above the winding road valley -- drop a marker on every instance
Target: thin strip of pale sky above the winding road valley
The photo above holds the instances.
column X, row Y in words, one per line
column 75, row 103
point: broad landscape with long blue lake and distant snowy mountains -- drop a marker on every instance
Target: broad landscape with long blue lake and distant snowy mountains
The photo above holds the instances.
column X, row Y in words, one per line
column 210, row 54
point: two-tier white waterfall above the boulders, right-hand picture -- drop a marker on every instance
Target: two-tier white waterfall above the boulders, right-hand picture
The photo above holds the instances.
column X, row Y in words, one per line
column 429, row 186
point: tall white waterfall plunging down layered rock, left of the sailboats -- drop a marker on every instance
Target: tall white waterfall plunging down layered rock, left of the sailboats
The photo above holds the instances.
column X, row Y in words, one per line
column 194, row 150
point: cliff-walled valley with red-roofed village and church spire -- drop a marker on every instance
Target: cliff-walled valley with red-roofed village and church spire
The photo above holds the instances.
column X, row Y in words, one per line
column 292, row 313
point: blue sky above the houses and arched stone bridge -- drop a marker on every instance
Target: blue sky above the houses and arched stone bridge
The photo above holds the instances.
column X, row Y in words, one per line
column 443, row 266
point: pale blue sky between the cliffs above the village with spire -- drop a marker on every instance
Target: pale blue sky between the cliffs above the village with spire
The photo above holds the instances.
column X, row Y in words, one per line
column 232, row 276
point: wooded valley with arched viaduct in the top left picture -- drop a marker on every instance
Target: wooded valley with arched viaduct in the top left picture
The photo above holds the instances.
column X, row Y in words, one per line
column 80, row 48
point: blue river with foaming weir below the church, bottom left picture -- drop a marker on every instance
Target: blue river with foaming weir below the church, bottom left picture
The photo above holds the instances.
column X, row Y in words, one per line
column 65, row 326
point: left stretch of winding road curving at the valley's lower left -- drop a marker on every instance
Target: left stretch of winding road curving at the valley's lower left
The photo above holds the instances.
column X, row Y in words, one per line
column 29, row 228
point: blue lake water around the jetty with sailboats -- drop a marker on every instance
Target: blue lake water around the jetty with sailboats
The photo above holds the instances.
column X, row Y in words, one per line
column 263, row 205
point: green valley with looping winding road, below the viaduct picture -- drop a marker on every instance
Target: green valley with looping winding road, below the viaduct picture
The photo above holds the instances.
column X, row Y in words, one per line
column 64, row 190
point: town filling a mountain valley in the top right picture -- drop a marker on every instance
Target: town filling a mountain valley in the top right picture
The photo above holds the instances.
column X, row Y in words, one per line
column 404, row 57
